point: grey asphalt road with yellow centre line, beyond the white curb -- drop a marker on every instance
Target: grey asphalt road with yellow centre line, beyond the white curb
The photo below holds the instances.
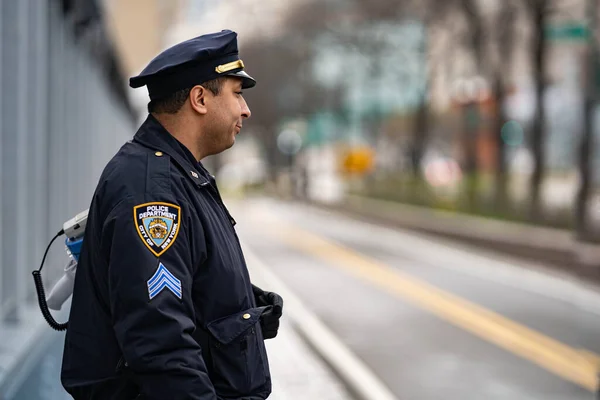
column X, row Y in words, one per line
column 431, row 320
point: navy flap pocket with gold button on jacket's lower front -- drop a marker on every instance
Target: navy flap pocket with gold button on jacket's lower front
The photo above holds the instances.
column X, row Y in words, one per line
column 239, row 364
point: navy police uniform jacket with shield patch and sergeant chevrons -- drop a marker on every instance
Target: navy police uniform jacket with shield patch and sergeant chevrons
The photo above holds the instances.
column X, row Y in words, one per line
column 162, row 305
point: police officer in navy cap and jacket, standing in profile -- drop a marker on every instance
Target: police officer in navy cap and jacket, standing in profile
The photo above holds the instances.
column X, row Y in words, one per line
column 163, row 307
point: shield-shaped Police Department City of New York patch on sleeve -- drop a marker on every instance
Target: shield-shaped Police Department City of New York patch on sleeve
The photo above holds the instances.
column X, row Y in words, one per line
column 157, row 224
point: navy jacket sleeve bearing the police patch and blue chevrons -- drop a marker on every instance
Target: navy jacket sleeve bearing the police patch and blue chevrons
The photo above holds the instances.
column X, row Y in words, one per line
column 150, row 289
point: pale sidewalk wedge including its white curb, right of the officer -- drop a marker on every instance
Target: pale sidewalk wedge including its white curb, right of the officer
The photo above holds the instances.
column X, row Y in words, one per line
column 305, row 352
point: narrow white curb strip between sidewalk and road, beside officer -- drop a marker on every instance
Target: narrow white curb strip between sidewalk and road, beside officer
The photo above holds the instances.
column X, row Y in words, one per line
column 355, row 375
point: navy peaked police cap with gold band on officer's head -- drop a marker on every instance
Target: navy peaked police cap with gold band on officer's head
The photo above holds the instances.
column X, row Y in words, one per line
column 191, row 63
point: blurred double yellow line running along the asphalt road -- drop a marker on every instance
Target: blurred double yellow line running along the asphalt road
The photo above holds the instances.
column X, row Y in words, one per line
column 573, row 365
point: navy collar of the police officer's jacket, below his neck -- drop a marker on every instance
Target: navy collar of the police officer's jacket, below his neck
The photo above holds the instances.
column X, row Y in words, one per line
column 153, row 135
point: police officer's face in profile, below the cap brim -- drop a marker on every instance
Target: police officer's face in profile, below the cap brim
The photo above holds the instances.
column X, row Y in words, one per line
column 227, row 112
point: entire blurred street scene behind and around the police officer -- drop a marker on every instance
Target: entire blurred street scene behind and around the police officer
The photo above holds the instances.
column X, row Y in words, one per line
column 420, row 177
